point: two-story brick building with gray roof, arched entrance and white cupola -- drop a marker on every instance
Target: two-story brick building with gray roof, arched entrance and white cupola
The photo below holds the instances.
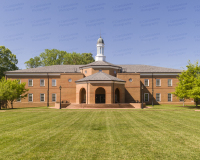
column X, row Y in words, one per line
column 97, row 82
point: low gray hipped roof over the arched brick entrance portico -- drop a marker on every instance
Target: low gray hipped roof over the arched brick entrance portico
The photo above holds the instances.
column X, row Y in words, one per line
column 100, row 76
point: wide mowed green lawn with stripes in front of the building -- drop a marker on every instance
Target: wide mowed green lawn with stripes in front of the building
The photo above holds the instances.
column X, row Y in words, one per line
column 162, row 132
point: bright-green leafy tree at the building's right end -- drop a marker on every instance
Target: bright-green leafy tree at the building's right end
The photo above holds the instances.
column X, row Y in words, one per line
column 189, row 83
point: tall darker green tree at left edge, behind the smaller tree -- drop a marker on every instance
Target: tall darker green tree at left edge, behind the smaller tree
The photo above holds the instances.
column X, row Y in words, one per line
column 8, row 61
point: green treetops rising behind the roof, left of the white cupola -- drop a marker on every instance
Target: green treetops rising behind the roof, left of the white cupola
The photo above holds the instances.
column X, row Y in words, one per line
column 57, row 57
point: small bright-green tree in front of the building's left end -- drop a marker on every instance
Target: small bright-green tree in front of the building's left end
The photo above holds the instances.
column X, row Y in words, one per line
column 11, row 90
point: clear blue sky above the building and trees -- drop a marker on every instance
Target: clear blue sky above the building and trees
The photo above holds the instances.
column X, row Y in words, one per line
column 151, row 32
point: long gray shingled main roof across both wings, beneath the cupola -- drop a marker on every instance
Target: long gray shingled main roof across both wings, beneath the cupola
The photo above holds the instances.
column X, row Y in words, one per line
column 73, row 68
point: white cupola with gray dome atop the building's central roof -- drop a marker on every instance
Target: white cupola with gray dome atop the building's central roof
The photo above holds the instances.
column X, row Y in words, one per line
column 100, row 50
